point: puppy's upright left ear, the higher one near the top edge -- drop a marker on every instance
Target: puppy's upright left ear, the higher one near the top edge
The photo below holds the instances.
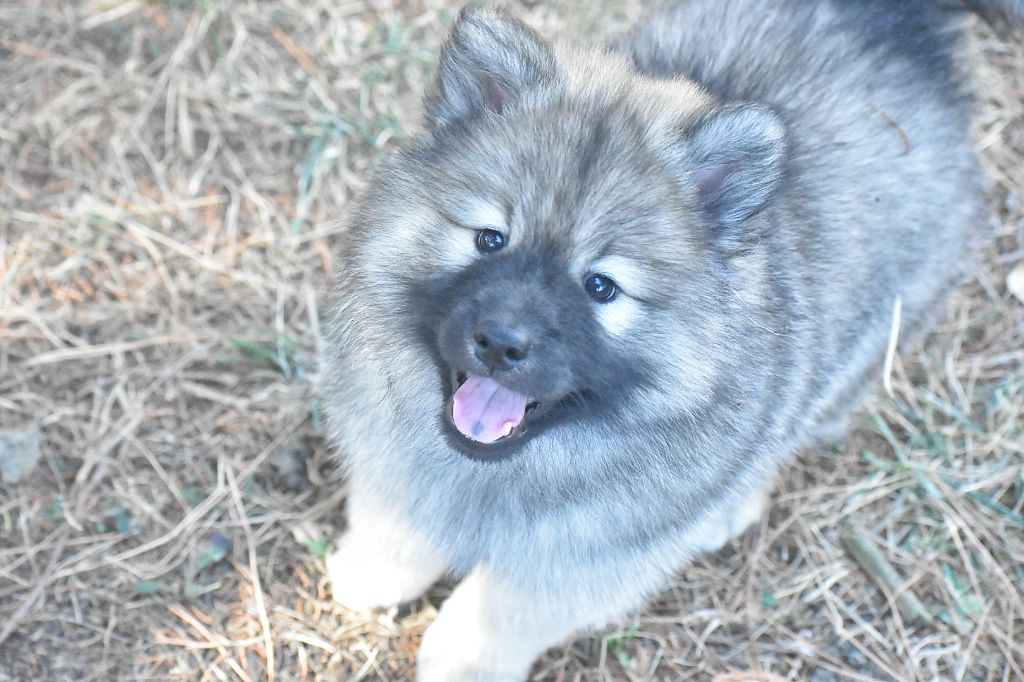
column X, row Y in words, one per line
column 488, row 63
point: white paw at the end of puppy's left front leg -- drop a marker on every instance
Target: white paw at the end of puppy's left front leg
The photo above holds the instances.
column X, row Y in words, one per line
column 363, row 580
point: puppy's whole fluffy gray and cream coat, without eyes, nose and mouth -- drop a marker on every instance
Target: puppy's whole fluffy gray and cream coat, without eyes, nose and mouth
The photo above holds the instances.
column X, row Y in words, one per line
column 766, row 222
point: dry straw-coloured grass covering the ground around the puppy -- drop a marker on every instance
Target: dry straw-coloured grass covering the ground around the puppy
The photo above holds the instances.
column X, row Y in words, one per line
column 170, row 178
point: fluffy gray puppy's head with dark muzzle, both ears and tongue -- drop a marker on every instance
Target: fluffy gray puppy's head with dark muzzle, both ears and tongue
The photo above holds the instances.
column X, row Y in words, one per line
column 557, row 235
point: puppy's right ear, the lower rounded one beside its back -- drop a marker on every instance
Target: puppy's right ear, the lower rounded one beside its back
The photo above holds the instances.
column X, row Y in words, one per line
column 737, row 157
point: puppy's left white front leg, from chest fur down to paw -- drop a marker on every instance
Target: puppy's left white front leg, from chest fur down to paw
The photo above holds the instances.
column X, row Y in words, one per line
column 380, row 562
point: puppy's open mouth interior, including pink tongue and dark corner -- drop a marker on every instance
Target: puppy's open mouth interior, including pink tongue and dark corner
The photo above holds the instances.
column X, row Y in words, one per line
column 488, row 413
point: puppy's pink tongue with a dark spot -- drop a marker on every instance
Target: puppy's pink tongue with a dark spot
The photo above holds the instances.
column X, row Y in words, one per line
column 486, row 411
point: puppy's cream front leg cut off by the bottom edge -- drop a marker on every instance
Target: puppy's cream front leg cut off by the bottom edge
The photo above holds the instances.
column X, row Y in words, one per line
column 491, row 630
